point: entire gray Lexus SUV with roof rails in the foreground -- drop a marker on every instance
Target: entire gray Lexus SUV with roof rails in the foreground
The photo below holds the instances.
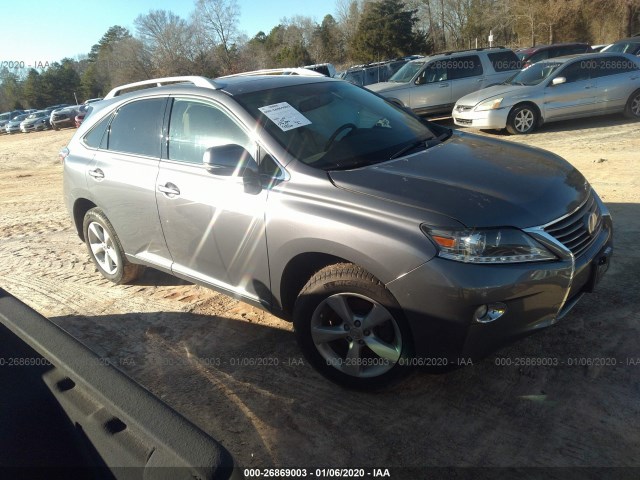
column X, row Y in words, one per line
column 387, row 240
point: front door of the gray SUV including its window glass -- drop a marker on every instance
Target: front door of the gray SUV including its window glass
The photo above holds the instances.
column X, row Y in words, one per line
column 213, row 226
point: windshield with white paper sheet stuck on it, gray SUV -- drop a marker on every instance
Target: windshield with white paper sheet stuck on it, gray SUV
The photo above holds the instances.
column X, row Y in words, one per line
column 334, row 125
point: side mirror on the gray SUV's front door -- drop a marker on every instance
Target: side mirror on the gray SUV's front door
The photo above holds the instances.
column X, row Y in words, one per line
column 233, row 161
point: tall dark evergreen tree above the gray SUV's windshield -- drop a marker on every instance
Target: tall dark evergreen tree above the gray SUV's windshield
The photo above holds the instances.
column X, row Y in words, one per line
column 386, row 30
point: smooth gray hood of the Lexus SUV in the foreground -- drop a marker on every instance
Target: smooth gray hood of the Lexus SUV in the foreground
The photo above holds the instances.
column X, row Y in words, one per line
column 477, row 181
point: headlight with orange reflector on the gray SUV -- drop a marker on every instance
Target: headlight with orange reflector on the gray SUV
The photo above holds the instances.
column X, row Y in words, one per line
column 496, row 245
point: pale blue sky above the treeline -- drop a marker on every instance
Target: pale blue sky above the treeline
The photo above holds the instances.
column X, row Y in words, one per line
column 49, row 30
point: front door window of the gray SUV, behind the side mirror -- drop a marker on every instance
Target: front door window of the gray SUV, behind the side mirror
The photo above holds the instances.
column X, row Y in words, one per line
column 195, row 126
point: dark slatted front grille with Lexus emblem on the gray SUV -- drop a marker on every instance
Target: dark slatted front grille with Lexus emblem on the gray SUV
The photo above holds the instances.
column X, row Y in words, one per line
column 579, row 229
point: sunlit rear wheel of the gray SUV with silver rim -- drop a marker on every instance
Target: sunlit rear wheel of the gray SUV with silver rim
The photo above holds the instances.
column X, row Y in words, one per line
column 105, row 249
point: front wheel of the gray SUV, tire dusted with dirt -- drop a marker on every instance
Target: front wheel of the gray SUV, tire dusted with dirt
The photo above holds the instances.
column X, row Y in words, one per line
column 351, row 329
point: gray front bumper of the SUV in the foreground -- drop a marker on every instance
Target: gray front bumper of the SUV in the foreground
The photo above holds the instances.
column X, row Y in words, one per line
column 440, row 297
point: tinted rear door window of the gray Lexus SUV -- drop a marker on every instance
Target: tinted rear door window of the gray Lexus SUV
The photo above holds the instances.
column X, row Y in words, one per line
column 137, row 126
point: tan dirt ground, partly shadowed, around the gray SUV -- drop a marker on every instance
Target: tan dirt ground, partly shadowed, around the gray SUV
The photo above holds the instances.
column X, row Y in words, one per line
column 237, row 373
